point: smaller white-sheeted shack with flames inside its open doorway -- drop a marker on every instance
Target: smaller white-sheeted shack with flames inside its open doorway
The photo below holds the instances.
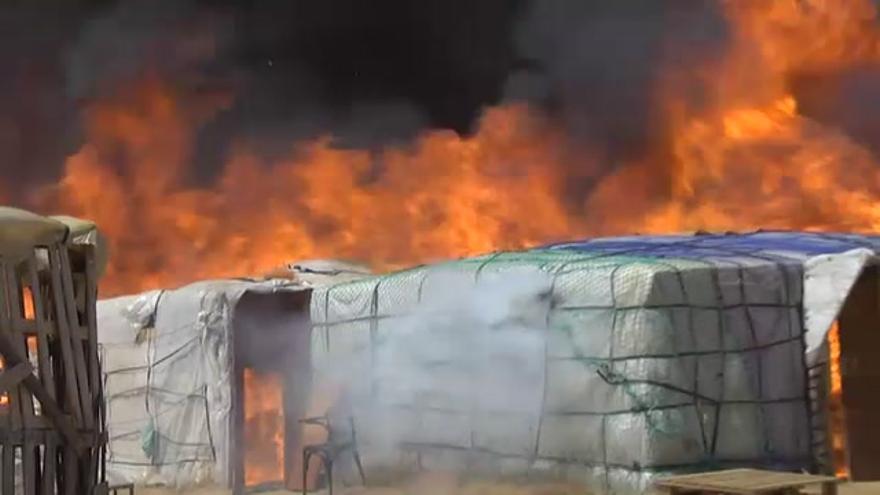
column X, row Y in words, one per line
column 200, row 380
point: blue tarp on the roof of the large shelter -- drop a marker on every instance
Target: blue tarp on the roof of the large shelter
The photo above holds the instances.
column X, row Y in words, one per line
column 767, row 245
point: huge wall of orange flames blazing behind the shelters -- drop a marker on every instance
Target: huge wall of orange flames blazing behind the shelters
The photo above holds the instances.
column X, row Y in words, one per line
column 744, row 158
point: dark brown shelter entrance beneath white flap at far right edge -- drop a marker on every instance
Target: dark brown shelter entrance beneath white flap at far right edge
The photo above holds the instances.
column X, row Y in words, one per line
column 859, row 341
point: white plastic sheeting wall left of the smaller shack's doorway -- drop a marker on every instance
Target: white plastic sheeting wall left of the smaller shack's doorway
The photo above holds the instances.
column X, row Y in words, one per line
column 167, row 385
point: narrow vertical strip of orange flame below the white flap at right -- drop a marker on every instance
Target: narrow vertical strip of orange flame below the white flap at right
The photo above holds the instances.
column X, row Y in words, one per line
column 837, row 417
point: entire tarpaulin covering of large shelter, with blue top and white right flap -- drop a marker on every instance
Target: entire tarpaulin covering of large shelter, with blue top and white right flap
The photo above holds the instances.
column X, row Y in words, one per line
column 659, row 354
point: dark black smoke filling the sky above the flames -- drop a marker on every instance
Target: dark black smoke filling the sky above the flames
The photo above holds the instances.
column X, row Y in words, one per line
column 369, row 73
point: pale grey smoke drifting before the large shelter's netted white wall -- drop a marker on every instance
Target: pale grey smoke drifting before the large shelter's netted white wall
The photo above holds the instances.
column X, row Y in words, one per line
column 477, row 348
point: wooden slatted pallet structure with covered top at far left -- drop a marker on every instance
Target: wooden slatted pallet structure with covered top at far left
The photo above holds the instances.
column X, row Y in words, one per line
column 52, row 408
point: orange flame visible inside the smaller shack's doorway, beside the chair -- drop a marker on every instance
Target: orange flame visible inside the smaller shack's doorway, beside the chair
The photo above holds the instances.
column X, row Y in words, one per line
column 264, row 428
